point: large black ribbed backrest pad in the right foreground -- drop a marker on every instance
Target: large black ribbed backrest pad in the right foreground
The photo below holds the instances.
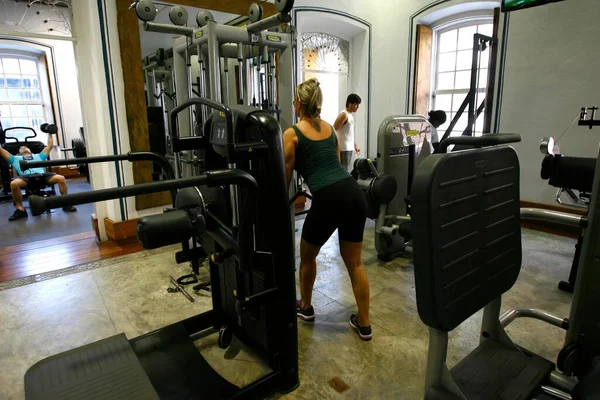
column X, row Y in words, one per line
column 467, row 232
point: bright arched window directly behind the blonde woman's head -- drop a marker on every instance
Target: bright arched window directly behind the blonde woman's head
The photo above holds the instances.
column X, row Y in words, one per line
column 326, row 58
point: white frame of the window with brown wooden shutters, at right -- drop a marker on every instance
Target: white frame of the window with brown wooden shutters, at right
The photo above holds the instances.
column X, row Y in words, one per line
column 447, row 25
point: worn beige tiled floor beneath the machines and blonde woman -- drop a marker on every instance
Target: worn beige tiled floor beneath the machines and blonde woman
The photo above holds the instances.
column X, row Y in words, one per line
column 129, row 294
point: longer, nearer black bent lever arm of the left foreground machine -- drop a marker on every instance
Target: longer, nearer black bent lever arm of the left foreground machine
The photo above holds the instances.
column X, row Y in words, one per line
column 212, row 178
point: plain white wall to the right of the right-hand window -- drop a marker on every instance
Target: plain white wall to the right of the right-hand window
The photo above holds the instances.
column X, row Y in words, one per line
column 552, row 66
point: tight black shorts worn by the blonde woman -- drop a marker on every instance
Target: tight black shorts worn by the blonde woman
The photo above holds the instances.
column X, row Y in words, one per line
column 340, row 206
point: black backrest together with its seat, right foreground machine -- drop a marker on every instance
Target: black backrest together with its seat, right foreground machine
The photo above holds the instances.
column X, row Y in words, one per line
column 467, row 253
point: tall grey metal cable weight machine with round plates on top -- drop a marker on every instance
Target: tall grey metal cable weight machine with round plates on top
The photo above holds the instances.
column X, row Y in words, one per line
column 202, row 58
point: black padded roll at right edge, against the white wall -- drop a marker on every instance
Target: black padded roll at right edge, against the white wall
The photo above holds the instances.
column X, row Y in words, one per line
column 569, row 172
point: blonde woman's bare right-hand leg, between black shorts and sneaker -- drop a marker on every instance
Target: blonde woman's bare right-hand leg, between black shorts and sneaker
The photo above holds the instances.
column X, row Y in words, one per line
column 352, row 256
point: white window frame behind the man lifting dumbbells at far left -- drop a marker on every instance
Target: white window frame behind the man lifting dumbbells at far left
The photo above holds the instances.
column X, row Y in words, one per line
column 44, row 87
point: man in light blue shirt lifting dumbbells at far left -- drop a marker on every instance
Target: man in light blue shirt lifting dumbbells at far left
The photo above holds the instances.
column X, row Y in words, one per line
column 22, row 181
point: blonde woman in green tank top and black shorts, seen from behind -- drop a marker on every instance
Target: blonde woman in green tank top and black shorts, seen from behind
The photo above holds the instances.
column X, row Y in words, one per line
column 312, row 148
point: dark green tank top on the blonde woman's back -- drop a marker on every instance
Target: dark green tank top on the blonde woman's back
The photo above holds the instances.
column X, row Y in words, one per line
column 317, row 161
